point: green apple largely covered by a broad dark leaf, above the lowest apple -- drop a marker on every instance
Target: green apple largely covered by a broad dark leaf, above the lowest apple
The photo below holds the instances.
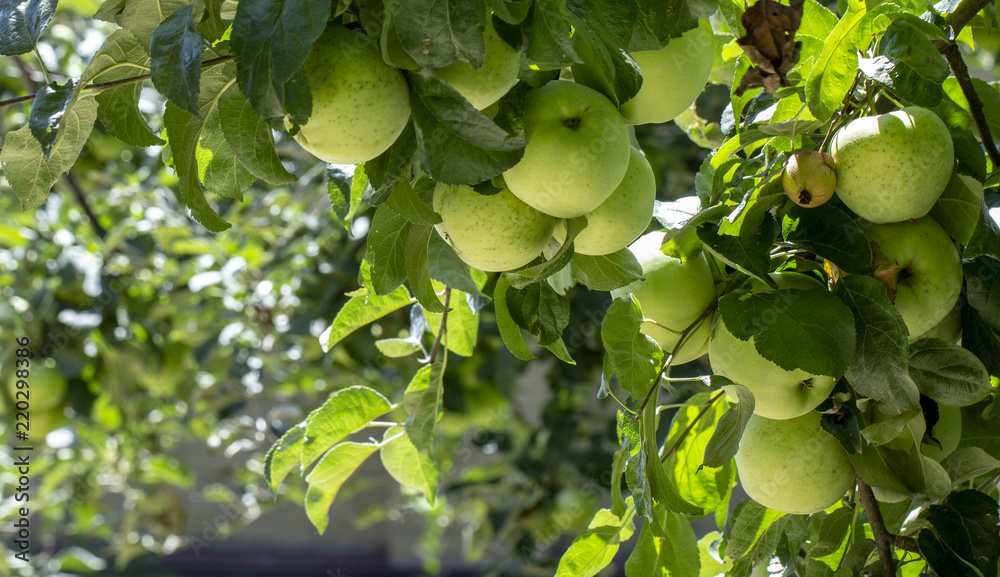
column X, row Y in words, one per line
column 778, row 394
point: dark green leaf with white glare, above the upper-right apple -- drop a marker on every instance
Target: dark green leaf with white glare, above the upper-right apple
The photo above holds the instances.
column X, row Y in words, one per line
column 907, row 63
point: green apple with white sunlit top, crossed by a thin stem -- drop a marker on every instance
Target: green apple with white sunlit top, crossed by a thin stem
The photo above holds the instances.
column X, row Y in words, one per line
column 672, row 294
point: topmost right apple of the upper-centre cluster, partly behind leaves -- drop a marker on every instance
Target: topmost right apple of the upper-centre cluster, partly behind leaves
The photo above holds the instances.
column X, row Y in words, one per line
column 672, row 77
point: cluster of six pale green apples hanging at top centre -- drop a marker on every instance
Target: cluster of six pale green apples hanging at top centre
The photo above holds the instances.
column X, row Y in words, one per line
column 578, row 161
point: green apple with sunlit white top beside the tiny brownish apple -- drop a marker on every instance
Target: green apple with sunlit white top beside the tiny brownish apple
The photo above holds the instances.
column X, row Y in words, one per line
column 894, row 166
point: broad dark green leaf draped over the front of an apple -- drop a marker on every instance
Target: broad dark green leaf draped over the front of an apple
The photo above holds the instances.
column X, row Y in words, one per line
column 809, row 330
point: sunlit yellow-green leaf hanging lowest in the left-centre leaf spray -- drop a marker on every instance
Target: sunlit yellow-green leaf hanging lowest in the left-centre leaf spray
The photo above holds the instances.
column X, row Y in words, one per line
column 329, row 475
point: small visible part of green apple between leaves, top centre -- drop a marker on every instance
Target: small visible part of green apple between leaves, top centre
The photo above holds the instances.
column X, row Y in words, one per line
column 485, row 85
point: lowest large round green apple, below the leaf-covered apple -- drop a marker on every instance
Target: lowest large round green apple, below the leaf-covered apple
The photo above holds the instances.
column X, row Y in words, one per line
column 792, row 465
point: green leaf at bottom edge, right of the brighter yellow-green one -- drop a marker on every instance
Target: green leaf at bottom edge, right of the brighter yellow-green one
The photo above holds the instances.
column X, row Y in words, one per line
column 674, row 556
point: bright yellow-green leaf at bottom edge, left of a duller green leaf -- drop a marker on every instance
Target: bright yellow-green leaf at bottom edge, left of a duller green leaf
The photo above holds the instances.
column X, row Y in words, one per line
column 592, row 550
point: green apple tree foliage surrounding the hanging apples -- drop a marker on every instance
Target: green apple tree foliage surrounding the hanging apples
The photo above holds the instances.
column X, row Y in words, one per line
column 230, row 74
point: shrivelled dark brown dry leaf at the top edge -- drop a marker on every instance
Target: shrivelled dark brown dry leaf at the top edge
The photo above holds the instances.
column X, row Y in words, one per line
column 770, row 44
